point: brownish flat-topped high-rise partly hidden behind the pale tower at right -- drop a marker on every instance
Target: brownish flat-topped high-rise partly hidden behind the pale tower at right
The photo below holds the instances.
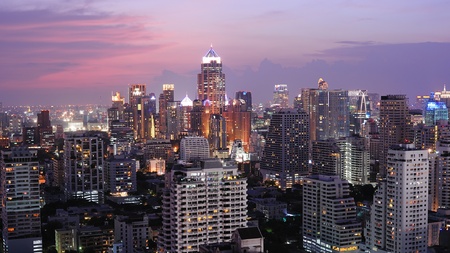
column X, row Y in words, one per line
column 395, row 125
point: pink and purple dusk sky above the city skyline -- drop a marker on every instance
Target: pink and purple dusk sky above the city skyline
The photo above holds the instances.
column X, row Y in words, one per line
column 55, row 52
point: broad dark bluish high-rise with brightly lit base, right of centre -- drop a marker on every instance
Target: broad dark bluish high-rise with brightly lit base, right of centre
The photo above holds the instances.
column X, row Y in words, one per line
column 286, row 151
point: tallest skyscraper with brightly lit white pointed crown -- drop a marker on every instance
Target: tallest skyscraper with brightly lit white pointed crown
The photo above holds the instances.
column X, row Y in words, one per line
column 211, row 82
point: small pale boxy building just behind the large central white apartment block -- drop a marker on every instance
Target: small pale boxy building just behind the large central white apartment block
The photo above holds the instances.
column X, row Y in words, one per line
column 194, row 148
